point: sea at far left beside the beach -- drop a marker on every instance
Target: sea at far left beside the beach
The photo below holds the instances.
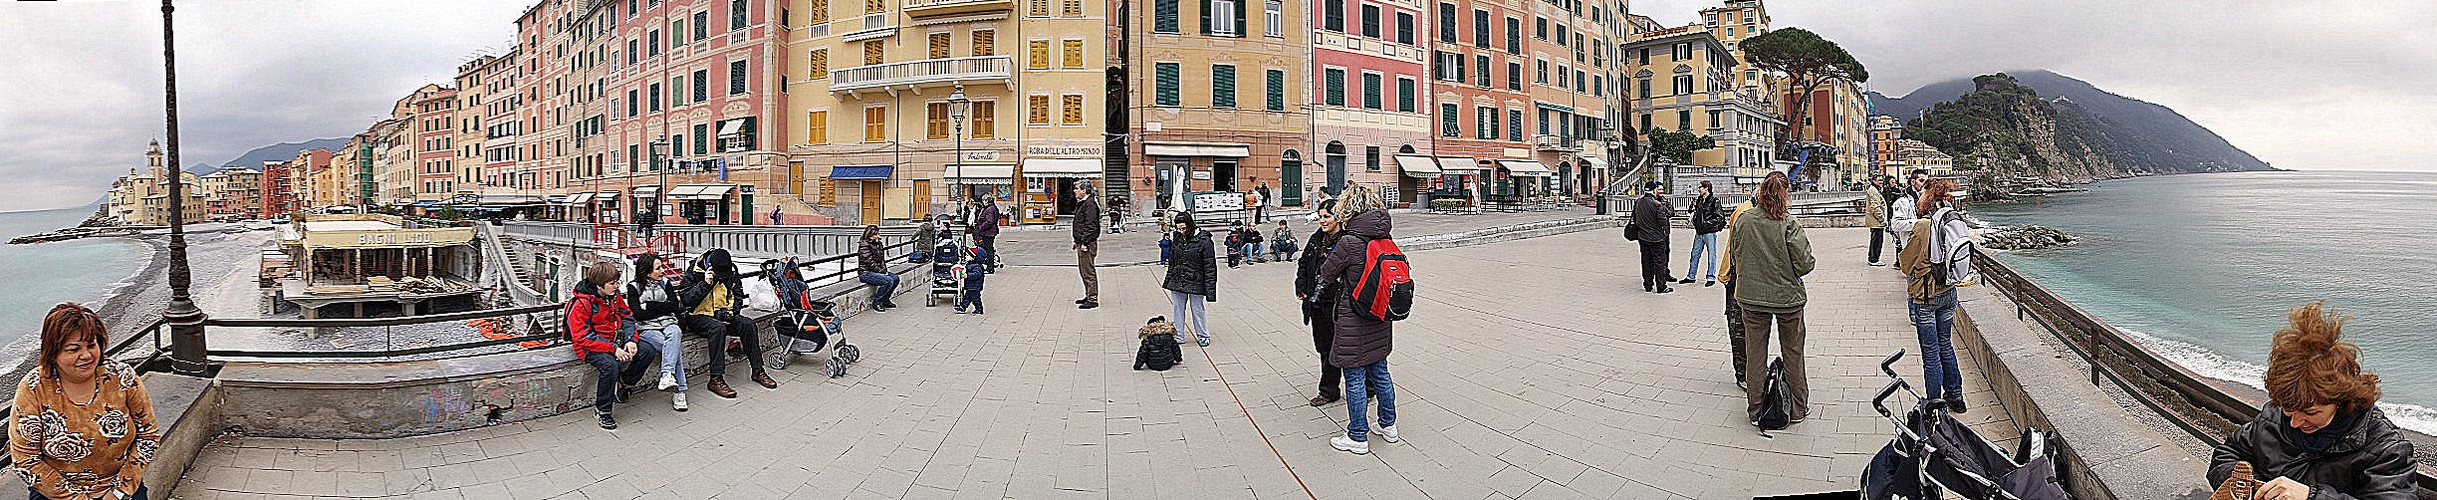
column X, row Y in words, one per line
column 38, row 277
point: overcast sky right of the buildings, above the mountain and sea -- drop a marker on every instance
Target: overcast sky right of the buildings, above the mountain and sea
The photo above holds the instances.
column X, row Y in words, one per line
column 2336, row 84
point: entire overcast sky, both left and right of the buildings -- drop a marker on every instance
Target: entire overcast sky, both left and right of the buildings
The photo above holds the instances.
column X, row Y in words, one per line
column 2324, row 84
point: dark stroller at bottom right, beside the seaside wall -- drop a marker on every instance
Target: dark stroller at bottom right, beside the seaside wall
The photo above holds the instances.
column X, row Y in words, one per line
column 1936, row 455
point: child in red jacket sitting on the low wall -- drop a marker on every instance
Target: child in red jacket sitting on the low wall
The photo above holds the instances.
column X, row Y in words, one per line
column 603, row 333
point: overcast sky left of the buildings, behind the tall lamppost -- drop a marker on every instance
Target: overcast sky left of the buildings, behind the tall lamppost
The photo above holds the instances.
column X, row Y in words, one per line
column 87, row 94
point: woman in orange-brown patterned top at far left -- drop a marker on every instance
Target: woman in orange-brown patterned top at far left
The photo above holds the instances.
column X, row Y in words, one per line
column 82, row 426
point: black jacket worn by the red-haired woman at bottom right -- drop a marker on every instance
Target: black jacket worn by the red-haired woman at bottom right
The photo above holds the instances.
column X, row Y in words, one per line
column 2368, row 462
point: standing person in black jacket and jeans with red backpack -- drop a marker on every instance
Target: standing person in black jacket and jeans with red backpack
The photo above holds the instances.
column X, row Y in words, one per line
column 1361, row 345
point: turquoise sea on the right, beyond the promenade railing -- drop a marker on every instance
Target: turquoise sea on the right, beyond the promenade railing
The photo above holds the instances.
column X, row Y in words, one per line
column 2207, row 267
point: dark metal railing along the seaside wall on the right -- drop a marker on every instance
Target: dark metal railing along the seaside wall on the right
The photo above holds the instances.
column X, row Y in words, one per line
column 2168, row 389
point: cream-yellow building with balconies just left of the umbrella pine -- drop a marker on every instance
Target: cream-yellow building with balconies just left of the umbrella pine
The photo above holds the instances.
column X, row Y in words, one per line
column 1685, row 79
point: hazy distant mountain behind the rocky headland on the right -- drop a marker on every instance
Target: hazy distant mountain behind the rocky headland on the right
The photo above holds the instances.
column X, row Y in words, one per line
column 2151, row 138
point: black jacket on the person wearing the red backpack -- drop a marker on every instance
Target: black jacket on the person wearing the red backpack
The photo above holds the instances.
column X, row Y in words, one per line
column 1359, row 340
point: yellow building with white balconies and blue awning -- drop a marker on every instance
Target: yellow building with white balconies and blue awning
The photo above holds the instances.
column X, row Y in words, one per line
column 871, row 118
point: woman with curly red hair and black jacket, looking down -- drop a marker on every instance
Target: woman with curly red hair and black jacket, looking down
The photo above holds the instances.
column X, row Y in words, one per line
column 2321, row 433
